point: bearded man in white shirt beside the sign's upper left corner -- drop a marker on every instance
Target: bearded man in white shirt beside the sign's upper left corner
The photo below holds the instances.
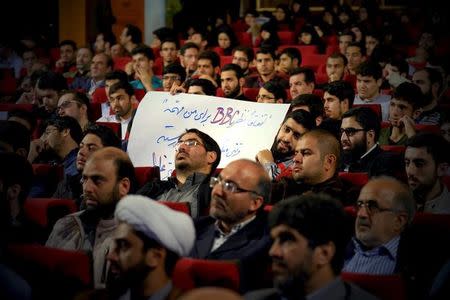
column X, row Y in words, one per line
column 121, row 97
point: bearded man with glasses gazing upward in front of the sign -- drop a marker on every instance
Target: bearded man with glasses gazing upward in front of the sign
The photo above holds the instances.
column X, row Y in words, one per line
column 197, row 156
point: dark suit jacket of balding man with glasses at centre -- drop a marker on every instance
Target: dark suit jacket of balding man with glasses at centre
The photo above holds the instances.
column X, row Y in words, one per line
column 250, row 246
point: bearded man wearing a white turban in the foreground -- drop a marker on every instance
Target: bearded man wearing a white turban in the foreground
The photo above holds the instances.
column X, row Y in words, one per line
column 148, row 242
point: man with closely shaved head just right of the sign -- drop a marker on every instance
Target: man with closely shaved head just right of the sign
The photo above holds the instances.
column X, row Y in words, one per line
column 315, row 168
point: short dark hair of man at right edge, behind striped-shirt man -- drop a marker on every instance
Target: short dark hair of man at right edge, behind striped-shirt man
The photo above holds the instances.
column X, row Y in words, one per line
column 435, row 144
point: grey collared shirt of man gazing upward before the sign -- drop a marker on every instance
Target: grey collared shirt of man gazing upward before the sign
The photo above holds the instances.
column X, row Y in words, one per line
column 187, row 192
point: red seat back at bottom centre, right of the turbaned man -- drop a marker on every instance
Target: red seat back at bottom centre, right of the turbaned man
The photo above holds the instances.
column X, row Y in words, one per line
column 191, row 273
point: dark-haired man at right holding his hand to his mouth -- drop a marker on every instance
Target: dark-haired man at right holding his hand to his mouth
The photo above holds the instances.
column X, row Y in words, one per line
column 404, row 108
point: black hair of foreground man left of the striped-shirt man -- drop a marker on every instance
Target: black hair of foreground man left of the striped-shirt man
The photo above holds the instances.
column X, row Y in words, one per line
column 319, row 218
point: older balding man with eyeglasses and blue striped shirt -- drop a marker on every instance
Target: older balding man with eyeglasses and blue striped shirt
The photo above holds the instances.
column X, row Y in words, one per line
column 384, row 208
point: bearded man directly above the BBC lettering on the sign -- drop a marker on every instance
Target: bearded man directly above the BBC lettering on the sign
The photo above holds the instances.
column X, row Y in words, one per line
column 232, row 80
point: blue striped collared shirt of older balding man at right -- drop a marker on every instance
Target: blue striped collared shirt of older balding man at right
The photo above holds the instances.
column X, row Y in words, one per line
column 377, row 261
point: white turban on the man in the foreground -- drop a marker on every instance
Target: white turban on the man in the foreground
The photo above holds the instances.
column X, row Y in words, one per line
column 172, row 229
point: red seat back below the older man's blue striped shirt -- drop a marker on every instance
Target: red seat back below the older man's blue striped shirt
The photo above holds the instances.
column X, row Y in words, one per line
column 383, row 286
